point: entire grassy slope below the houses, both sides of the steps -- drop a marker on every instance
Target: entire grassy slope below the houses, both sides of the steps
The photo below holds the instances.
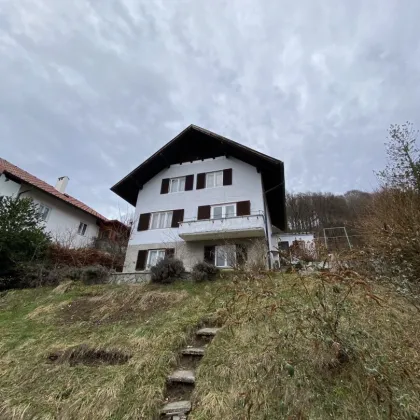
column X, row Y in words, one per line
column 275, row 358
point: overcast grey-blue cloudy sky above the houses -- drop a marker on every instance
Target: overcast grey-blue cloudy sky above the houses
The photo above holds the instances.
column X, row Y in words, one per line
column 91, row 88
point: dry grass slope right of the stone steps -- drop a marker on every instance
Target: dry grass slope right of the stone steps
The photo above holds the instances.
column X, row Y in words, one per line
column 282, row 354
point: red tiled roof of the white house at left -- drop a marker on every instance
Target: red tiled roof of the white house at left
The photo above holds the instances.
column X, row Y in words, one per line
column 26, row 177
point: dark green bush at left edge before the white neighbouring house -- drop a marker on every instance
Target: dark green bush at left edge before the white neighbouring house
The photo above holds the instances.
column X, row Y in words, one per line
column 22, row 238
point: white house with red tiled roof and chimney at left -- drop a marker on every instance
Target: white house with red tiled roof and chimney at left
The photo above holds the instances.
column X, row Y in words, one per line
column 69, row 221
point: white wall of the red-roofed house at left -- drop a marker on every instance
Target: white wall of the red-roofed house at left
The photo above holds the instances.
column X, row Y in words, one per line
column 63, row 219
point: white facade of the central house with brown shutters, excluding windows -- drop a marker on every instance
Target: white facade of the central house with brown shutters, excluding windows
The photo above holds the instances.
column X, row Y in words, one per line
column 193, row 235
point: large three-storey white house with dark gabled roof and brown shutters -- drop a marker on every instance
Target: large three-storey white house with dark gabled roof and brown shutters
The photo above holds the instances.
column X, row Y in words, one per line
column 204, row 197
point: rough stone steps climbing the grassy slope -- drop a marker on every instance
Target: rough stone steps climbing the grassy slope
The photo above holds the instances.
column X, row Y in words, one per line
column 180, row 383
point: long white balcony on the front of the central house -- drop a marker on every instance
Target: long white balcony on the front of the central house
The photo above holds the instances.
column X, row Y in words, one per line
column 228, row 228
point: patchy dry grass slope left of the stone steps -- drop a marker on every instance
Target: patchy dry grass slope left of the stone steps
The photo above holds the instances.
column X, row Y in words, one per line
column 147, row 322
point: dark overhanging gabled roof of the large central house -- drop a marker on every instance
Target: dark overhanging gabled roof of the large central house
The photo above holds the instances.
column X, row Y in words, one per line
column 195, row 143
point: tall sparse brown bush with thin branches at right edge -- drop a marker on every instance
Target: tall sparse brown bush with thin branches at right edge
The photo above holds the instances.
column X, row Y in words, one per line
column 391, row 226
